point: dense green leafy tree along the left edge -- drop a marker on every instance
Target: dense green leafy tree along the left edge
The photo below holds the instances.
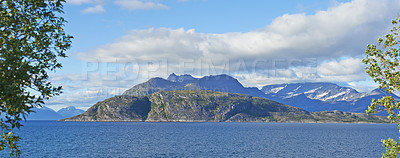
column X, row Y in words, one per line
column 31, row 39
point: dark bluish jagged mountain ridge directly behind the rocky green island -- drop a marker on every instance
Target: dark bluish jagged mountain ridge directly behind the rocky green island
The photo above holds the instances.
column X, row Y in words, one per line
column 220, row 83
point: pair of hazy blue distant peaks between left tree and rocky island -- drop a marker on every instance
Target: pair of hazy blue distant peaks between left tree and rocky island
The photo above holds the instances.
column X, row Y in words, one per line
column 46, row 113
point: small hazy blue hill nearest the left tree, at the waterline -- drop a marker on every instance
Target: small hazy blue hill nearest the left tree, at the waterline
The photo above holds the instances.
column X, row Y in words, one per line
column 44, row 113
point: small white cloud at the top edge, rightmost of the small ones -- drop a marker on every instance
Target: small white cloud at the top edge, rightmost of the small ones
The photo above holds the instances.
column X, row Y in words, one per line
column 139, row 4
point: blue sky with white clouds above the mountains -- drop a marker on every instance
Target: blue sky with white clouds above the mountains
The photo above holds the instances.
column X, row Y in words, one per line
column 120, row 43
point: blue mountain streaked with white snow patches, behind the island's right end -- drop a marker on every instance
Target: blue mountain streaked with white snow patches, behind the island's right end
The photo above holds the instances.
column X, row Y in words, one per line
column 322, row 96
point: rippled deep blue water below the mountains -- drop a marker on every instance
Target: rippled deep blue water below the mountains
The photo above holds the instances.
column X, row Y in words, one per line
column 142, row 139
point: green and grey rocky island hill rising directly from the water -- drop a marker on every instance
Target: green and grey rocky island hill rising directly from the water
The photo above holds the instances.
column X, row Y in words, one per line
column 207, row 106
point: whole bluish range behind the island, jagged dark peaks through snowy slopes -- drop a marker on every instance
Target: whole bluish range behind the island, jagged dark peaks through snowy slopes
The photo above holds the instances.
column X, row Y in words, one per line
column 320, row 96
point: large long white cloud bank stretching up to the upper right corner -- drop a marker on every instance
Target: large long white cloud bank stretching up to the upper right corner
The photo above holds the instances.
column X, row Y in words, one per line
column 342, row 30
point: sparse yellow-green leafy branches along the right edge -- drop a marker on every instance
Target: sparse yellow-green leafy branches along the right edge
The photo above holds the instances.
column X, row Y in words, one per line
column 383, row 66
